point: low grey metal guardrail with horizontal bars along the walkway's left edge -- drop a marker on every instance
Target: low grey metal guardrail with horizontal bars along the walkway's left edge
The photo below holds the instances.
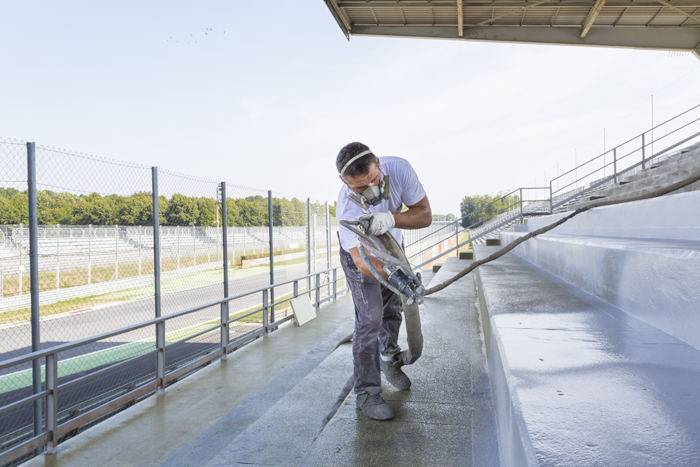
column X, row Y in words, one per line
column 53, row 429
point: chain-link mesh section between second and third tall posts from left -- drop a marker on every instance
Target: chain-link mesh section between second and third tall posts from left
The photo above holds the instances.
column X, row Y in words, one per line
column 191, row 263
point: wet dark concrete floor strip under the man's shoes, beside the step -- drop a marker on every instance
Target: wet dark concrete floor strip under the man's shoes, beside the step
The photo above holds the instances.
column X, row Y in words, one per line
column 447, row 417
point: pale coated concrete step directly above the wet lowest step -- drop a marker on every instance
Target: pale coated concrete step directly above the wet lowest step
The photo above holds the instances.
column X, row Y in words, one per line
column 654, row 280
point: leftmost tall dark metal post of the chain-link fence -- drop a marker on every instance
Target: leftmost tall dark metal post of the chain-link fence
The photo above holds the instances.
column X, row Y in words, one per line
column 34, row 280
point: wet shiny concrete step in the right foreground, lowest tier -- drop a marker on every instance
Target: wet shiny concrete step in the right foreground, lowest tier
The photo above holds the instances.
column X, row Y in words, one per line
column 579, row 382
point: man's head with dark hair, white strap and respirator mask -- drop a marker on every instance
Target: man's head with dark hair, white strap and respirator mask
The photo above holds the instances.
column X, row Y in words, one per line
column 358, row 172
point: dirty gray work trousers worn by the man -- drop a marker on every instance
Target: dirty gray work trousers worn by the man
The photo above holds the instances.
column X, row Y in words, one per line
column 377, row 322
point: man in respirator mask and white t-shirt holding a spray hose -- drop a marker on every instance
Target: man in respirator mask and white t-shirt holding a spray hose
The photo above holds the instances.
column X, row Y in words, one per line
column 376, row 188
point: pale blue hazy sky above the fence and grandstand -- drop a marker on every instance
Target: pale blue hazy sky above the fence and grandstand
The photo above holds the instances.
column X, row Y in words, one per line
column 265, row 97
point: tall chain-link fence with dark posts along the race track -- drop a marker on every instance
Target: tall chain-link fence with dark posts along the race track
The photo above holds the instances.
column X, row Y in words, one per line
column 117, row 279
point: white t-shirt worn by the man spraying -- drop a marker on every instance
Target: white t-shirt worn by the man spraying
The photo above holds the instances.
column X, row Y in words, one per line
column 404, row 188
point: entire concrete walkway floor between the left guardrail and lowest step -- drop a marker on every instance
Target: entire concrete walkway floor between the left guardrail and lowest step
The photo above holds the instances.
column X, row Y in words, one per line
column 268, row 404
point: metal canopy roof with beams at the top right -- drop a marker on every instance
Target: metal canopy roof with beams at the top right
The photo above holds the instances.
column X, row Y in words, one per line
column 660, row 24
